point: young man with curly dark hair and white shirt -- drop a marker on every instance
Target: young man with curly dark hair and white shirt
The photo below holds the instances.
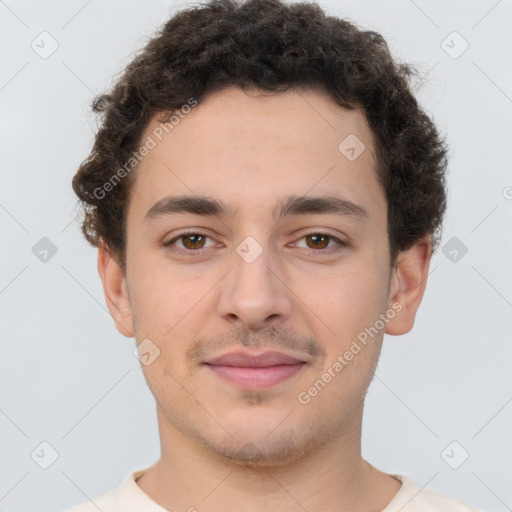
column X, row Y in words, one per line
column 265, row 194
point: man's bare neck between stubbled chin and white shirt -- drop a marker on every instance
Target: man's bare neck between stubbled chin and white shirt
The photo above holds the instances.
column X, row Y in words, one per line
column 331, row 477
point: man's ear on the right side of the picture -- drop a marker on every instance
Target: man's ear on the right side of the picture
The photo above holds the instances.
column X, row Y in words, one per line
column 407, row 285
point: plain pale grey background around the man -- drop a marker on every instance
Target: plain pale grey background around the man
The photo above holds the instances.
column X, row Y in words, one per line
column 70, row 379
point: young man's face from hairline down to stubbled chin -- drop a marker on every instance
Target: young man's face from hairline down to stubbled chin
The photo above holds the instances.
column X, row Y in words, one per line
column 282, row 246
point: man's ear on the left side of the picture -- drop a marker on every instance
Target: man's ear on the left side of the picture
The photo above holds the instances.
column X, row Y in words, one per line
column 116, row 291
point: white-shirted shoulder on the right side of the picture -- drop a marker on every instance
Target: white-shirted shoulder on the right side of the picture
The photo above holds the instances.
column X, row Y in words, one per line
column 412, row 498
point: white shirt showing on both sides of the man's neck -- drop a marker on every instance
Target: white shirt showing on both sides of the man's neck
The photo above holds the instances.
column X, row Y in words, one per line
column 129, row 497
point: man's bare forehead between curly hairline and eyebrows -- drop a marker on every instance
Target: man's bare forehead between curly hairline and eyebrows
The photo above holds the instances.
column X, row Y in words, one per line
column 251, row 148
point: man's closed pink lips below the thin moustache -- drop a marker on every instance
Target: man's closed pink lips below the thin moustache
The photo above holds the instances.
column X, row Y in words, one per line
column 255, row 372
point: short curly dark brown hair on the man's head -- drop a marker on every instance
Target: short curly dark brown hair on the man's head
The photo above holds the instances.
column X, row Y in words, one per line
column 273, row 46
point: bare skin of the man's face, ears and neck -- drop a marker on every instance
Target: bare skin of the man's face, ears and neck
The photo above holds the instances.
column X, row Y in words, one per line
column 227, row 448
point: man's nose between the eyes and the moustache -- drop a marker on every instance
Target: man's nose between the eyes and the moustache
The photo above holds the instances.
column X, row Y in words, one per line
column 254, row 293
